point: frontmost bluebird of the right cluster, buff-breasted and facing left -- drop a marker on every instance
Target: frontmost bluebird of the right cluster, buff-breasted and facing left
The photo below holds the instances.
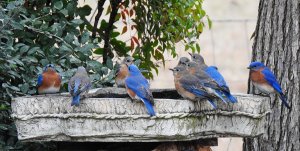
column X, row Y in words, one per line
column 189, row 86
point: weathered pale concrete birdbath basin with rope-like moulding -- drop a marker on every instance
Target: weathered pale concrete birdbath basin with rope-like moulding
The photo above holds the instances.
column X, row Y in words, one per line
column 51, row 118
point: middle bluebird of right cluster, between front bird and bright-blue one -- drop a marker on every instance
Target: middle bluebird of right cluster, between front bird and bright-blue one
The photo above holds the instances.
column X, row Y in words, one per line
column 210, row 84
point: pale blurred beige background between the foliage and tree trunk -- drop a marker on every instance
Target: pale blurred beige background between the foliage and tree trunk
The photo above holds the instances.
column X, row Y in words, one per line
column 226, row 45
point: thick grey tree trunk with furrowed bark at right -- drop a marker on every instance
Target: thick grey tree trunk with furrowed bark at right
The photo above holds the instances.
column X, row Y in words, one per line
column 277, row 45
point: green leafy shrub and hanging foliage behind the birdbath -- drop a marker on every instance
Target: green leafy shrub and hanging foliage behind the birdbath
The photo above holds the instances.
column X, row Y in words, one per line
column 34, row 33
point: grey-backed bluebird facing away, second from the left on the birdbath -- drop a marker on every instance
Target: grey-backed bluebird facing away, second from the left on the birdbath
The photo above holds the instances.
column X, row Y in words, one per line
column 78, row 85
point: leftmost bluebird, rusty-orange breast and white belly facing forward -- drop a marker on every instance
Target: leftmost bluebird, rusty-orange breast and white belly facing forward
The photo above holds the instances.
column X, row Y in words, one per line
column 49, row 81
